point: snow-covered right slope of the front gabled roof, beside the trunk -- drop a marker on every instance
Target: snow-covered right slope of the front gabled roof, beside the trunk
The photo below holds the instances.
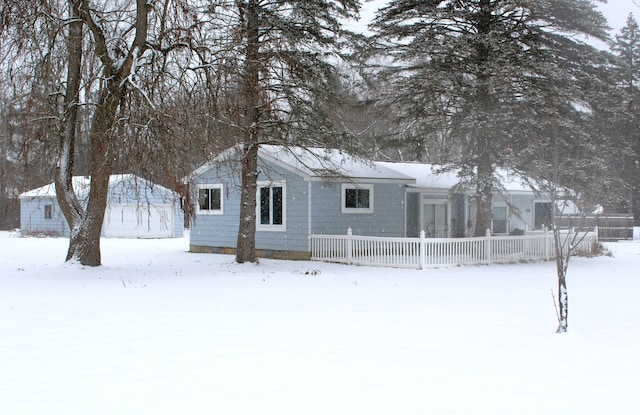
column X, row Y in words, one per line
column 318, row 162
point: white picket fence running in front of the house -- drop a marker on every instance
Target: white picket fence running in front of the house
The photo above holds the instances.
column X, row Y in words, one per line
column 422, row 252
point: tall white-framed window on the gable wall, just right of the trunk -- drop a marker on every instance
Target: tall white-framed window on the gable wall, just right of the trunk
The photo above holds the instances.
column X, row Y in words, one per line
column 271, row 206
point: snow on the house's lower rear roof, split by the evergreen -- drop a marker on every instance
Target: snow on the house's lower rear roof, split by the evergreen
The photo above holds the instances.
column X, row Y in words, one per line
column 427, row 176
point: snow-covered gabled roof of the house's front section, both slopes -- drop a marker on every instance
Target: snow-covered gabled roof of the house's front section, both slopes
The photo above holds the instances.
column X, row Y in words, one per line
column 315, row 162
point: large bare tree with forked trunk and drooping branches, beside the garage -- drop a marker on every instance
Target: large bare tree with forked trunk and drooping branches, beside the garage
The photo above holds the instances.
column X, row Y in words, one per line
column 99, row 80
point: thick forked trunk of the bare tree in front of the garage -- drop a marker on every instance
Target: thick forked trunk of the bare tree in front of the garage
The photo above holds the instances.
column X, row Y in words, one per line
column 86, row 221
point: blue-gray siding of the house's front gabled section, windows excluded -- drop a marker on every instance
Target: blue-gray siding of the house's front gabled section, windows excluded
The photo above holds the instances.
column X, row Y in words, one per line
column 218, row 233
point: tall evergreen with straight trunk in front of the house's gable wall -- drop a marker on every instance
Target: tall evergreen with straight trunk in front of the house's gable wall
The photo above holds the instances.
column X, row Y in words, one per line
column 280, row 61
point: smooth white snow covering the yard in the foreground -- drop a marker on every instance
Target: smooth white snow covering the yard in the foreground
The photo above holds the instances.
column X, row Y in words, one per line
column 158, row 330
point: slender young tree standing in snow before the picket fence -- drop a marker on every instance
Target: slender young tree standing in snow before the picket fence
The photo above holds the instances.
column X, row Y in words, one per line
column 568, row 164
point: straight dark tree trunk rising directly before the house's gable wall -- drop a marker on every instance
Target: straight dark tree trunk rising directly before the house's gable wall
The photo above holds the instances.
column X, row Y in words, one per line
column 246, row 246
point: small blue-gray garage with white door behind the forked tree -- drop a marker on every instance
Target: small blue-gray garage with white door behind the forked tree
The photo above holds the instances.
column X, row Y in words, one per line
column 136, row 208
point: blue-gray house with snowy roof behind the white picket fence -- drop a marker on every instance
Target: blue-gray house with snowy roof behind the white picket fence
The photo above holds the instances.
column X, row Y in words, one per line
column 325, row 191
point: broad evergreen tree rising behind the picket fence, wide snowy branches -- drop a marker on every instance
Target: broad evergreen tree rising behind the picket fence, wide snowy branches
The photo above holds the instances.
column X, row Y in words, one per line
column 477, row 77
